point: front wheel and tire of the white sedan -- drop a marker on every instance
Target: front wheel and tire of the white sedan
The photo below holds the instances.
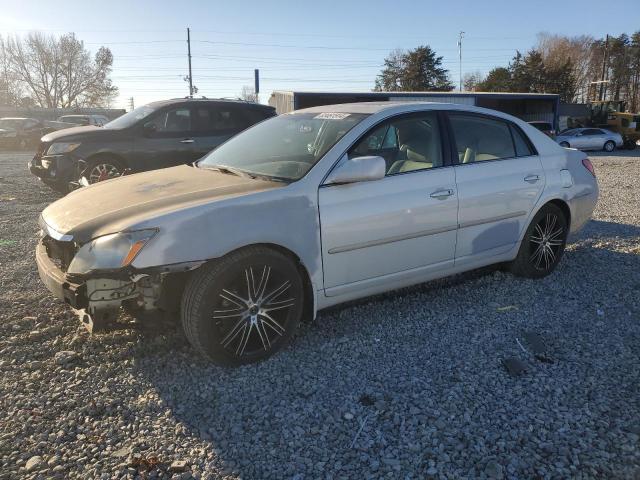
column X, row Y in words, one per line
column 244, row 307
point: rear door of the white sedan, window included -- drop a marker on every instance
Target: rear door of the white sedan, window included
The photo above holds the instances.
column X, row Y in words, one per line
column 499, row 178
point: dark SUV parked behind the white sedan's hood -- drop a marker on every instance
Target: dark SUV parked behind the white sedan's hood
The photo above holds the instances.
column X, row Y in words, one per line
column 158, row 135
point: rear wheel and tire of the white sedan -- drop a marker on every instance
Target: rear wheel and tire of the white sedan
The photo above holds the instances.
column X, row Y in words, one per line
column 543, row 244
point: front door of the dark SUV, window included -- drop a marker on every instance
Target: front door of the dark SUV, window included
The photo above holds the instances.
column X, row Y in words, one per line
column 165, row 140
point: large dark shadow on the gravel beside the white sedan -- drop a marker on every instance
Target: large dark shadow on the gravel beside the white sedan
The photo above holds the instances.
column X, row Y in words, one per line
column 400, row 382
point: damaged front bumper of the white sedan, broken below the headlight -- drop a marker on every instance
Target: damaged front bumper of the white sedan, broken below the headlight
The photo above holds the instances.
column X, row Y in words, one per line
column 96, row 299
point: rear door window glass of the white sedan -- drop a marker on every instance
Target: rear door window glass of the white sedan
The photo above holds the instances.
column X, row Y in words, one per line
column 481, row 138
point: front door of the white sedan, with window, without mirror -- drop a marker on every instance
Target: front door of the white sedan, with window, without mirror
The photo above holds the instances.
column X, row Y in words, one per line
column 404, row 224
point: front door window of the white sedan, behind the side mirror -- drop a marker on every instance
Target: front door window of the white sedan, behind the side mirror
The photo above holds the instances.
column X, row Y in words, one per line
column 407, row 143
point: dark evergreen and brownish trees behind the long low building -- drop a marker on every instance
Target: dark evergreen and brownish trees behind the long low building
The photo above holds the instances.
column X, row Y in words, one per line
column 572, row 67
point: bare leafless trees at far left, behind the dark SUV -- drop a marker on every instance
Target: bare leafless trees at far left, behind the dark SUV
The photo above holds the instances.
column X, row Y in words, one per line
column 59, row 72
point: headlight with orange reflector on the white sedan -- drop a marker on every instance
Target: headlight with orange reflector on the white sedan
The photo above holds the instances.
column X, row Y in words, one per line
column 110, row 252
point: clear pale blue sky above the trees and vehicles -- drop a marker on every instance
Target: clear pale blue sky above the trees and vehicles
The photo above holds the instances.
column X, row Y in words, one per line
column 300, row 45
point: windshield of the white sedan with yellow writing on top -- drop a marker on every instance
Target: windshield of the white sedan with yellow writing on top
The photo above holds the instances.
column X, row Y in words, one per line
column 284, row 147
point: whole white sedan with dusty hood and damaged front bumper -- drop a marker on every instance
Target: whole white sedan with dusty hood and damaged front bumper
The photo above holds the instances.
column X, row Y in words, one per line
column 311, row 209
